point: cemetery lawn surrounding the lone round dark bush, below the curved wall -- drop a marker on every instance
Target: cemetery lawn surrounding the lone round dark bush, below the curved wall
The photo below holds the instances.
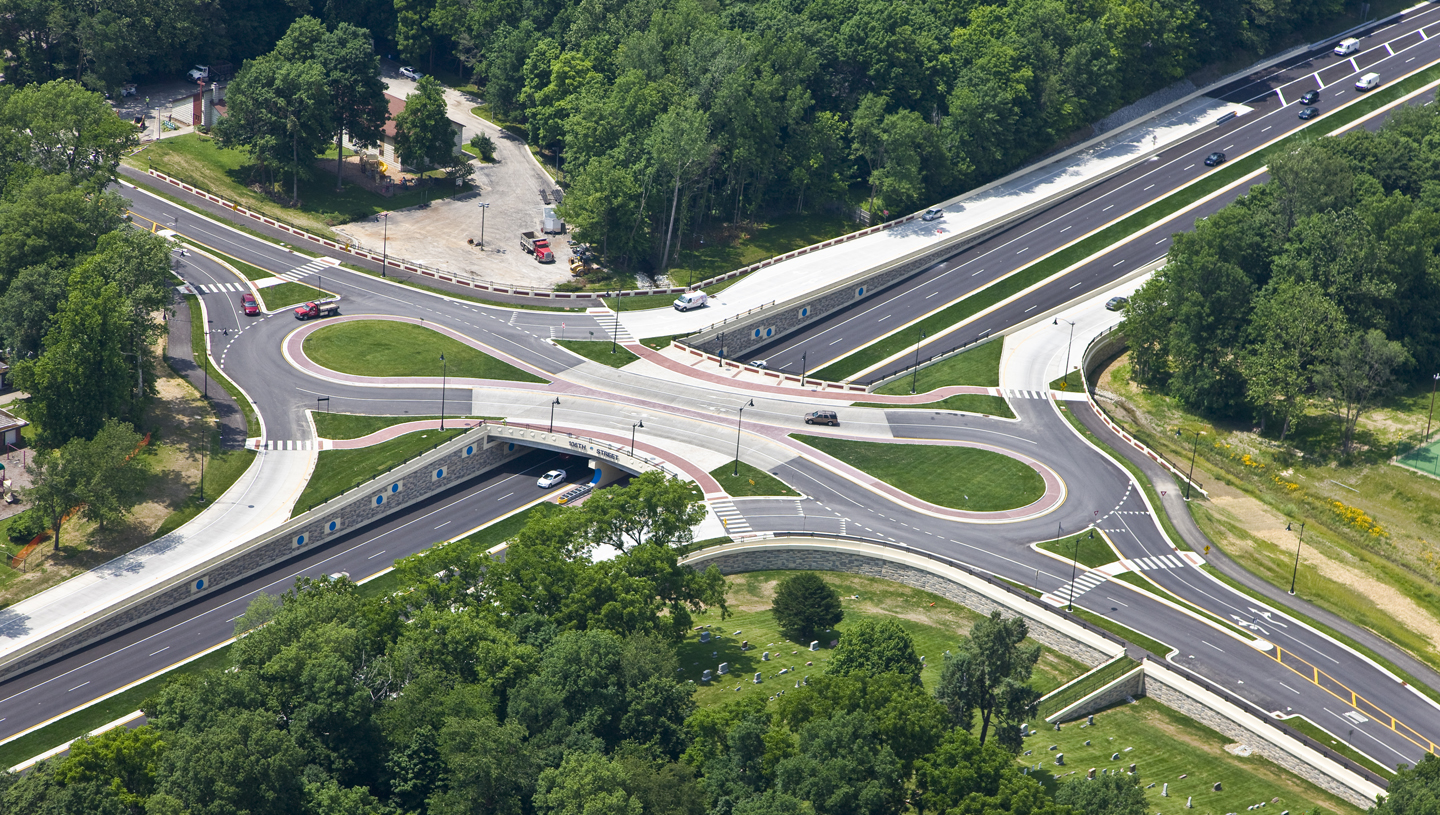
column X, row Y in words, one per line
column 934, row 623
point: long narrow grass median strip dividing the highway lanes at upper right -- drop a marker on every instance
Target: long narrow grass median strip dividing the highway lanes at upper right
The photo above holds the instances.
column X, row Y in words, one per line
column 1076, row 253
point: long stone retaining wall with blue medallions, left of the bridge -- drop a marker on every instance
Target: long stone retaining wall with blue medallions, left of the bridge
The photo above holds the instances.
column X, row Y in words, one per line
column 438, row 470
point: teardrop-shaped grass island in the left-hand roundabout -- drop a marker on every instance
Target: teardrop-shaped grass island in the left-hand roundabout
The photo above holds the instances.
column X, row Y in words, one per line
column 382, row 348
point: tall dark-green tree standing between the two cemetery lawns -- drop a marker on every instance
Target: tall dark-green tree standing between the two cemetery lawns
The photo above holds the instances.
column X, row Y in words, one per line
column 989, row 675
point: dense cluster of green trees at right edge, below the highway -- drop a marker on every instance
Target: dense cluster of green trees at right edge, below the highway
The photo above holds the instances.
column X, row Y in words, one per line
column 1317, row 289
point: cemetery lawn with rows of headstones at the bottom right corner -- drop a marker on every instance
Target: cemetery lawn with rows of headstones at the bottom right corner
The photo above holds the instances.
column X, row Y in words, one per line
column 1166, row 747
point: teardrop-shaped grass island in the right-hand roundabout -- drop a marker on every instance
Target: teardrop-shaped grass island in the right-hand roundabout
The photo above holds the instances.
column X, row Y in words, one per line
column 958, row 477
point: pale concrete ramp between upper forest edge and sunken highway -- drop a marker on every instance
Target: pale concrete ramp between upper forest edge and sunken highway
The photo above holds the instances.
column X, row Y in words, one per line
column 824, row 267
